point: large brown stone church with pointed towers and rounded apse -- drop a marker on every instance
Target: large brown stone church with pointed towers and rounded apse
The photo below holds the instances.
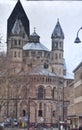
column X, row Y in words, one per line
column 39, row 82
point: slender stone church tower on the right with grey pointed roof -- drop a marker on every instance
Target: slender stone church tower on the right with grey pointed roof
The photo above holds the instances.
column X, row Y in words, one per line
column 57, row 50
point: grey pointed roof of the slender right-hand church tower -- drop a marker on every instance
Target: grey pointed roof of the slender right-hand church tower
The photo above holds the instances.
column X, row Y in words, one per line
column 57, row 32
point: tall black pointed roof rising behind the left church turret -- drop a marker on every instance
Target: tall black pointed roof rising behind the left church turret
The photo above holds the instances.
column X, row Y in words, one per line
column 18, row 13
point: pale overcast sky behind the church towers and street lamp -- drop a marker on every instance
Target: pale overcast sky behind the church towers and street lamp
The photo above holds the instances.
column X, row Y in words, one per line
column 43, row 15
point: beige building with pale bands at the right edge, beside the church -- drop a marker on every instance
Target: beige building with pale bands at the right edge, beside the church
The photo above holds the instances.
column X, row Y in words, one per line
column 75, row 107
